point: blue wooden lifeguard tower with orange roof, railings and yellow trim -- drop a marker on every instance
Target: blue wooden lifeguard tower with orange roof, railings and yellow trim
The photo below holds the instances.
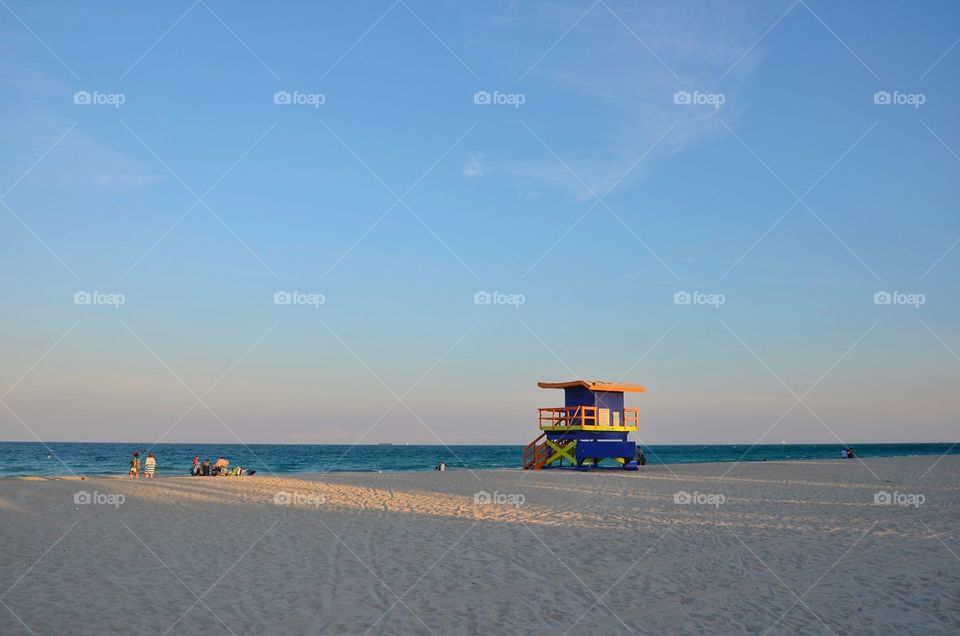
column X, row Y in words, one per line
column 591, row 426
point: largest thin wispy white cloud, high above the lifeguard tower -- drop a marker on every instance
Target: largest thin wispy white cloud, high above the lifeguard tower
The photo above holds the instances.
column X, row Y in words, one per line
column 624, row 65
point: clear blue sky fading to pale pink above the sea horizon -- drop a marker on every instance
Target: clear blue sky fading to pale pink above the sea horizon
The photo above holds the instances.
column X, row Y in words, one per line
column 585, row 190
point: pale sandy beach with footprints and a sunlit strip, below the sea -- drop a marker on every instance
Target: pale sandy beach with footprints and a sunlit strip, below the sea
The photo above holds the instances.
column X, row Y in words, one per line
column 796, row 548
